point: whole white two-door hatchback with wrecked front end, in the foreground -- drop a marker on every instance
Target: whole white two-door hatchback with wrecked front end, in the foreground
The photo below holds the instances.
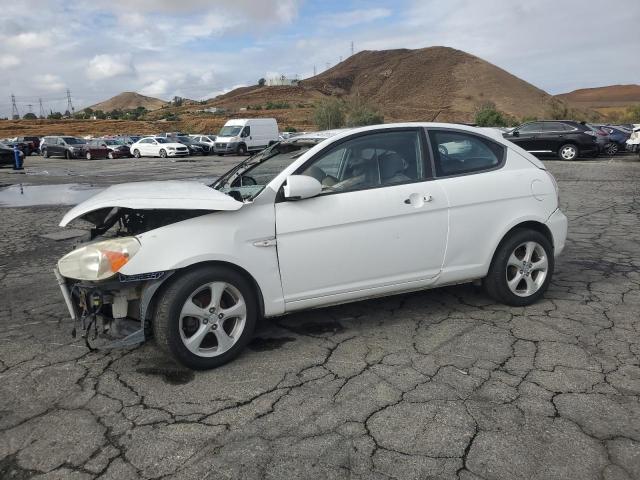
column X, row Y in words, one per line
column 318, row 220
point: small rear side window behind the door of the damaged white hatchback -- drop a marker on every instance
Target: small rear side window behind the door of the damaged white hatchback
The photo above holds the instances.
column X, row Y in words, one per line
column 457, row 153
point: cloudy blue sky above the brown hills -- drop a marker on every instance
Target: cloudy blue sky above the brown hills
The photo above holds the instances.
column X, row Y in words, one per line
column 200, row 48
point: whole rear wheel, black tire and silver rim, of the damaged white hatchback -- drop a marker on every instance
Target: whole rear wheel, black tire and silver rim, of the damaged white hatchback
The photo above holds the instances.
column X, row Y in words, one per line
column 521, row 269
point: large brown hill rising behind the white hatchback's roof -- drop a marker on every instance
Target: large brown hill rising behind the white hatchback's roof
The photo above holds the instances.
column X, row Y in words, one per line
column 436, row 83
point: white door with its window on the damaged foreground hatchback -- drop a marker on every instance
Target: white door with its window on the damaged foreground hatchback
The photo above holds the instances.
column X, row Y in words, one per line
column 379, row 225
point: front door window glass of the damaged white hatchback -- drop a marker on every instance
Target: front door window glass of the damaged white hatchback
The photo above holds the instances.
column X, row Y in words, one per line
column 369, row 161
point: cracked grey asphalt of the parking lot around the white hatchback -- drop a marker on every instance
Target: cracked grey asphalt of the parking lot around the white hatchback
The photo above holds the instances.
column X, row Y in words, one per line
column 438, row 384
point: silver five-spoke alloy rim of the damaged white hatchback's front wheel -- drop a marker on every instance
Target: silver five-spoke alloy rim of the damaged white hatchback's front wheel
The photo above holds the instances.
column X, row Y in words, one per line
column 212, row 319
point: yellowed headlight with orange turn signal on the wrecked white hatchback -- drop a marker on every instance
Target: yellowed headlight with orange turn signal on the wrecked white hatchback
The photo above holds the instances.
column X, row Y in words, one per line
column 99, row 260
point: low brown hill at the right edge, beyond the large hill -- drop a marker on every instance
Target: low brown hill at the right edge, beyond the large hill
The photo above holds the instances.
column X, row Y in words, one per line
column 604, row 99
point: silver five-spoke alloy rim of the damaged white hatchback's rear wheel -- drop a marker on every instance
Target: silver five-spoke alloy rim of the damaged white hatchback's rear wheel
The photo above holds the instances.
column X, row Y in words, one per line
column 527, row 269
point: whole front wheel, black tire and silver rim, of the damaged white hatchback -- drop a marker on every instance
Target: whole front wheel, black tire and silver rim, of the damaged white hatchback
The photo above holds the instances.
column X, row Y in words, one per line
column 206, row 317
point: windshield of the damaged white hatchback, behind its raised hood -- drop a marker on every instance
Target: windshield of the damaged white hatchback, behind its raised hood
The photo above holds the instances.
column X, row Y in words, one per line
column 246, row 180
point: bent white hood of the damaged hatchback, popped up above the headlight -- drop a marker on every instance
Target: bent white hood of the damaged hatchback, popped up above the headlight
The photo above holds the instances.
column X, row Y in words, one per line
column 169, row 195
